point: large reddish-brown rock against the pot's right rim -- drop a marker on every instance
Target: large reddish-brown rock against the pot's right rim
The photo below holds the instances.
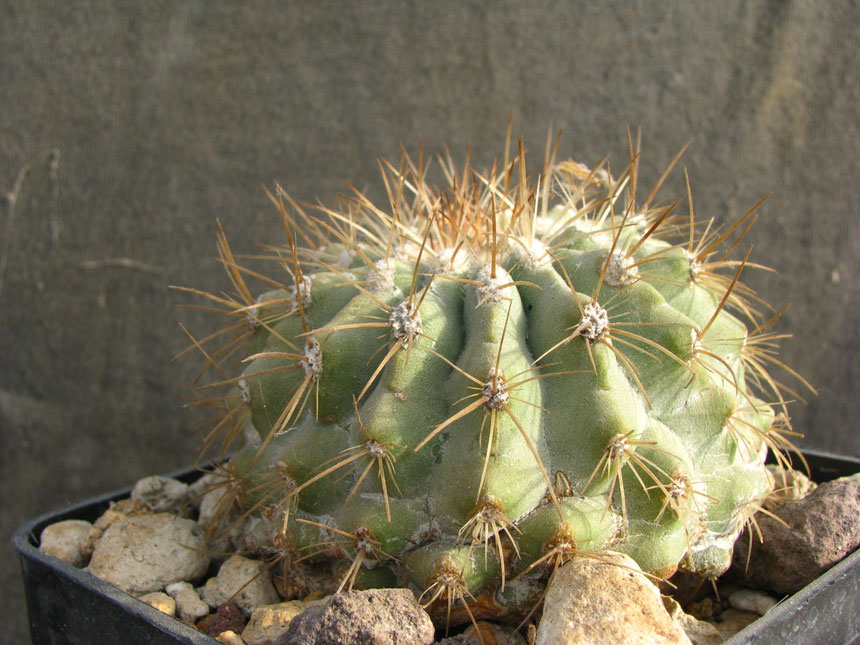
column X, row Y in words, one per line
column 822, row 528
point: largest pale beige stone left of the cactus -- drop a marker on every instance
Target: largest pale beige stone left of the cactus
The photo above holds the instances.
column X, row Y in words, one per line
column 146, row 553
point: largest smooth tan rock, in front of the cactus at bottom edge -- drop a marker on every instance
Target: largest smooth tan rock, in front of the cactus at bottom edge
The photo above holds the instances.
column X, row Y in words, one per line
column 589, row 603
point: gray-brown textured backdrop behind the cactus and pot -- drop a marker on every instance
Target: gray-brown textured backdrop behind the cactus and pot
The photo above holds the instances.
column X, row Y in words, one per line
column 127, row 128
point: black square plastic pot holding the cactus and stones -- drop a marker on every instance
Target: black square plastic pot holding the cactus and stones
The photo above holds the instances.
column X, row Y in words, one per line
column 69, row 605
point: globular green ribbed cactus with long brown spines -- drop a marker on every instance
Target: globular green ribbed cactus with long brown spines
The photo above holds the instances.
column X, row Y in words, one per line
column 479, row 380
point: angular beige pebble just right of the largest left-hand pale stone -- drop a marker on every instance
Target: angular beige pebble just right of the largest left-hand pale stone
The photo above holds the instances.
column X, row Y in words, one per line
column 247, row 582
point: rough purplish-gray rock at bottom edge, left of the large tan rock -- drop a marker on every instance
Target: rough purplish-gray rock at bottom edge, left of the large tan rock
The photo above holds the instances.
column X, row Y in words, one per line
column 369, row 617
